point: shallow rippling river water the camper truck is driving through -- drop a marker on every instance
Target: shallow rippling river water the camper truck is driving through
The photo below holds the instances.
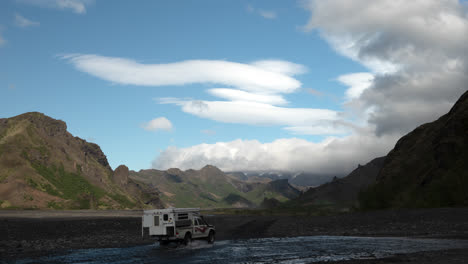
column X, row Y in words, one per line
column 263, row 250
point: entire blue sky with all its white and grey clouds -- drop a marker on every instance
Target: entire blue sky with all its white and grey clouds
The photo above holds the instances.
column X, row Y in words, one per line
column 315, row 86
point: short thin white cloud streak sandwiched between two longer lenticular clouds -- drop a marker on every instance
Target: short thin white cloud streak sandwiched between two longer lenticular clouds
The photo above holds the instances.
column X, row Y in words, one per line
column 238, row 95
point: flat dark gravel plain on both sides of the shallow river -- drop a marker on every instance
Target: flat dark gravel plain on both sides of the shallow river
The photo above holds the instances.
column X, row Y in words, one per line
column 35, row 233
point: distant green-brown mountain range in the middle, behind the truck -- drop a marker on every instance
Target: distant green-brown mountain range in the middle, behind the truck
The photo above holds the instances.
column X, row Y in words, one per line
column 209, row 187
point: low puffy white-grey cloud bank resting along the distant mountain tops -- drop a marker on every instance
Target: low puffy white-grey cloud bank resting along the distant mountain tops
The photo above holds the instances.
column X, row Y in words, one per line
column 332, row 156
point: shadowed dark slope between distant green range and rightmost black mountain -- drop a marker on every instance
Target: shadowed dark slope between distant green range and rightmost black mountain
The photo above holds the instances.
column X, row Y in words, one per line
column 343, row 192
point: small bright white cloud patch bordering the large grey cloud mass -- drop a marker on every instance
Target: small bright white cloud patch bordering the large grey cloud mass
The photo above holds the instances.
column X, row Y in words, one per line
column 357, row 82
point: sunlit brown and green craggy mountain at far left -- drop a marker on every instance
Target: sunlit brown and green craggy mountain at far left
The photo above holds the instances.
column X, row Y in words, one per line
column 44, row 166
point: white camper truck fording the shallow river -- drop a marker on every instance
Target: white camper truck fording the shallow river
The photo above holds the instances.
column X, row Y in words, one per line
column 176, row 224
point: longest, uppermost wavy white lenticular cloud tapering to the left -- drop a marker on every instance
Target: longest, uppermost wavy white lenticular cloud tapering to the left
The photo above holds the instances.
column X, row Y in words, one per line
column 246, row 77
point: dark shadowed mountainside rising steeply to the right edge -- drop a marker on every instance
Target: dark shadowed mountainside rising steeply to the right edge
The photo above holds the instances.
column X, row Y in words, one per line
column 428, row 167
